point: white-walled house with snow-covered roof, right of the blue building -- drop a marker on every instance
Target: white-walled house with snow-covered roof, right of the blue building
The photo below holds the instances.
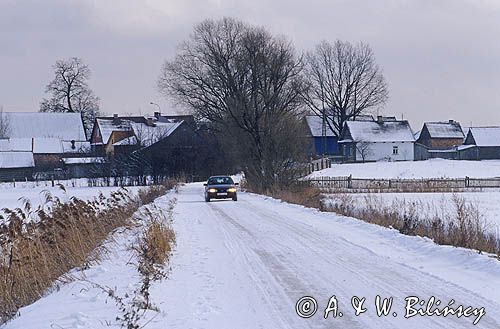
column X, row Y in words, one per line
column 383, row 139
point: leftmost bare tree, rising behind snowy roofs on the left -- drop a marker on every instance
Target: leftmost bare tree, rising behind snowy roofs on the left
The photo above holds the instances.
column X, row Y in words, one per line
column 69, row 91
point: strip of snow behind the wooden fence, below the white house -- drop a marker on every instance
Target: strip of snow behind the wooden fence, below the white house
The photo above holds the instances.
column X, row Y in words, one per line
column 434, row 168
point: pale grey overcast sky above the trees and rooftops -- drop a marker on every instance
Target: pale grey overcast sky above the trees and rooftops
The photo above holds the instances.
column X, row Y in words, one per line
column 441, row 59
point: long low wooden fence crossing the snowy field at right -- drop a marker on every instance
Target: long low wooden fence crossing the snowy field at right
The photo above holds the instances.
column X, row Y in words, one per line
column 404, row 185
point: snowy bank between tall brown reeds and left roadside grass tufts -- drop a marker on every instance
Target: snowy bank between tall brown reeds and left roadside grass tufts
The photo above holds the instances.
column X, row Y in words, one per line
column 81, row 303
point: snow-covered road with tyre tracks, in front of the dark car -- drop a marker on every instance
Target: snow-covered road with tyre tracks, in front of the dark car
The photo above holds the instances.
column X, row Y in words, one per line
column 245, row 264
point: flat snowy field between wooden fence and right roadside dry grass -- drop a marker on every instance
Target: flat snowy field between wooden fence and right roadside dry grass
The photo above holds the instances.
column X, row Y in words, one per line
column 431, row 204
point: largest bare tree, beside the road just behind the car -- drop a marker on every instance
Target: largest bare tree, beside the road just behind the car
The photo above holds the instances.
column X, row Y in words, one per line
column 246, row 83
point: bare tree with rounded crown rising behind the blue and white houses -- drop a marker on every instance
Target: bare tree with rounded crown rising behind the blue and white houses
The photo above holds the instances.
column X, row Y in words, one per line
column 344, row 82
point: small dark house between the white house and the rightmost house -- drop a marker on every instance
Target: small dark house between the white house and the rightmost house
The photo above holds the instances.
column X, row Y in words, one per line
column 439, row 140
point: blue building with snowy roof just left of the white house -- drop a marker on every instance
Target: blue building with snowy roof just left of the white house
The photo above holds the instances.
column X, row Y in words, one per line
column 316, row 146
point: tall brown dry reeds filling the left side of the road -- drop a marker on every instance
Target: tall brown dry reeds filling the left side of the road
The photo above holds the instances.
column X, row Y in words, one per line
column 37, row 246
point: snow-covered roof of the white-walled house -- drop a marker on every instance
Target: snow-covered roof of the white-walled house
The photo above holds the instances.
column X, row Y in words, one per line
column 392, row 131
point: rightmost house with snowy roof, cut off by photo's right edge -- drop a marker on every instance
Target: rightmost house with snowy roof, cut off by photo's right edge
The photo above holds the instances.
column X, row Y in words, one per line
column 481, row 143
